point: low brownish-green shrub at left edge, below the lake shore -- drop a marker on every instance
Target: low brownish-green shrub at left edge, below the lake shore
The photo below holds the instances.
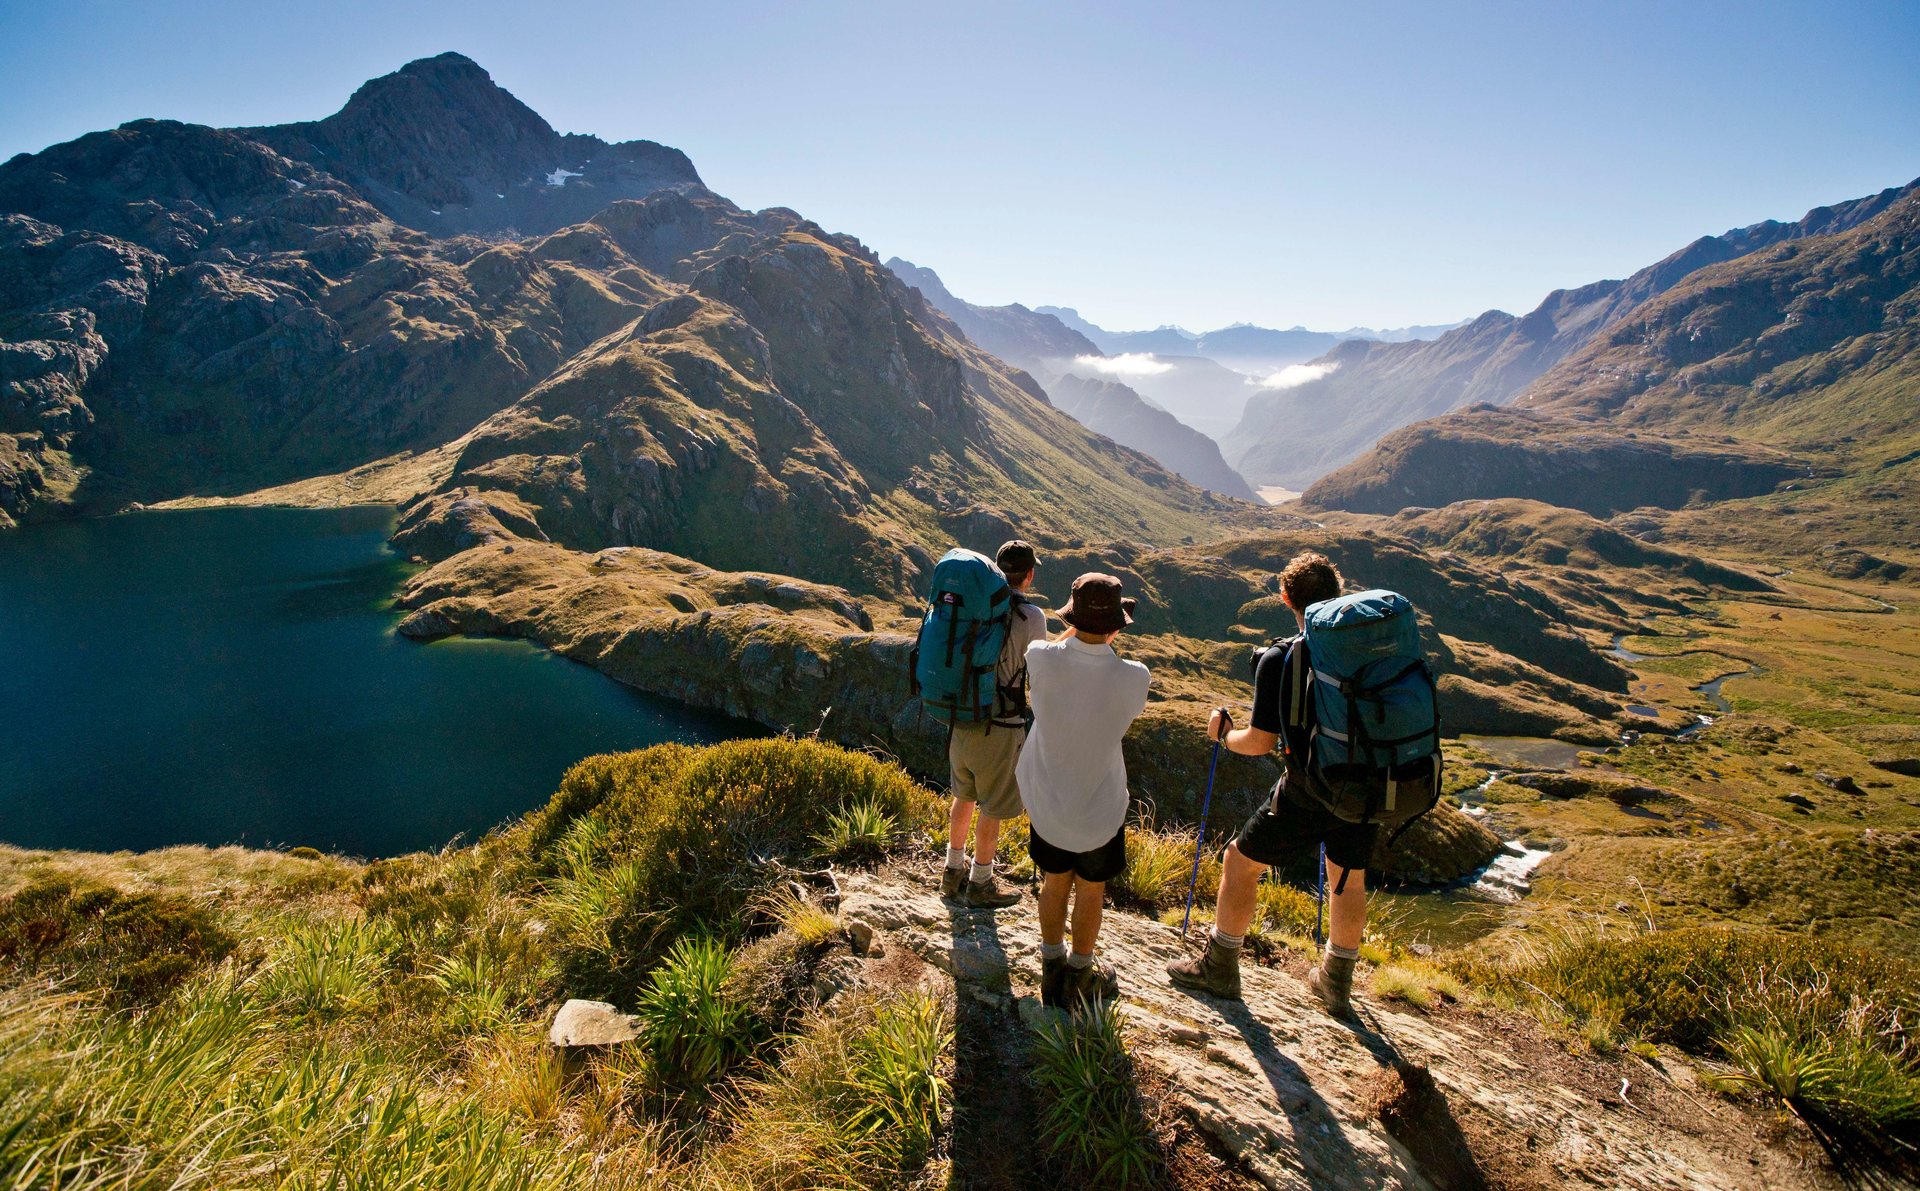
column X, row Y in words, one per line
column 133, row 946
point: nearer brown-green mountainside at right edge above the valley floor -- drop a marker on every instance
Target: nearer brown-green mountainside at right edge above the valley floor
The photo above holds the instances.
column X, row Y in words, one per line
column 1787, row 376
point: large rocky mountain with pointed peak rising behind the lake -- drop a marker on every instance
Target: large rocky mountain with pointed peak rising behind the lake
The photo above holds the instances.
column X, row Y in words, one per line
column 623, row 360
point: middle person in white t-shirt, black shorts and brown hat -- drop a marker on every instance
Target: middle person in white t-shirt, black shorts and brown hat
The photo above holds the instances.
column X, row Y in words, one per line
column 1074, row 781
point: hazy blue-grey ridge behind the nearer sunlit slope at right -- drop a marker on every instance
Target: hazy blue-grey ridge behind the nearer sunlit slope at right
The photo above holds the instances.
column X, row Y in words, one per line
column 1362, row 391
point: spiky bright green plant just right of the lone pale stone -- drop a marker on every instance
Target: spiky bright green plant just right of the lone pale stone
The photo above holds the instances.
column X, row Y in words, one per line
column 696, row 1027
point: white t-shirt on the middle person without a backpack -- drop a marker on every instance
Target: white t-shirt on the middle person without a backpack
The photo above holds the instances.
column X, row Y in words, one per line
column 1072, row 775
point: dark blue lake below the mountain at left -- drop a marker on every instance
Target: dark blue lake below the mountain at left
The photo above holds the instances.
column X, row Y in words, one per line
column 233, row 677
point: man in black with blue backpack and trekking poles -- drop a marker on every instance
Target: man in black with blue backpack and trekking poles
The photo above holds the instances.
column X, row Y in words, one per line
column 1355, row 708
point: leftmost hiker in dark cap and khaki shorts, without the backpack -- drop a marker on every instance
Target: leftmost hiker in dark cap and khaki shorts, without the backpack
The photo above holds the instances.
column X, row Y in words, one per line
column 982, row 756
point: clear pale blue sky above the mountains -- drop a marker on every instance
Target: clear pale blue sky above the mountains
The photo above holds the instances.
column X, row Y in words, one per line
column 1328, row 164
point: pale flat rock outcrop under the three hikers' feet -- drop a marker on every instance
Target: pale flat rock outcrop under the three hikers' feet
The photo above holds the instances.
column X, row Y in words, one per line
column 1289, row 1098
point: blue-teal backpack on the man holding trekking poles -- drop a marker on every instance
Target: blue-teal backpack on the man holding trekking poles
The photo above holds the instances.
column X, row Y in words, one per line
column 1362, row 700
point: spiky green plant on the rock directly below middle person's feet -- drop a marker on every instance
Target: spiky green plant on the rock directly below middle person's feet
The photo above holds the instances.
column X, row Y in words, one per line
column 1092, row 1107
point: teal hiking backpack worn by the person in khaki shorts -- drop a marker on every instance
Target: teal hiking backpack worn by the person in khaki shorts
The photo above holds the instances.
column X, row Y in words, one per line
column 959, row 652
